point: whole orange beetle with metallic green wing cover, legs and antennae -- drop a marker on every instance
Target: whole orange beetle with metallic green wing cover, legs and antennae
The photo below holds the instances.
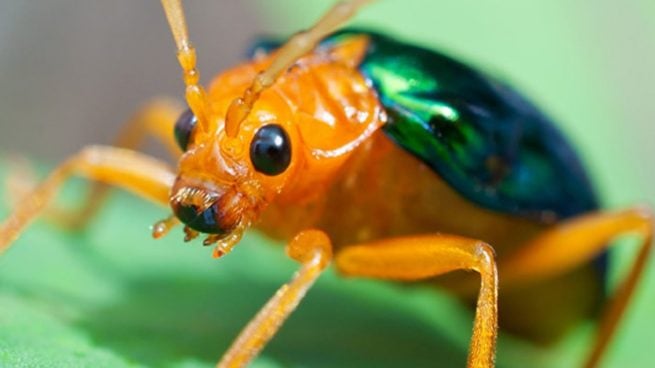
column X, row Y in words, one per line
column 244, row 150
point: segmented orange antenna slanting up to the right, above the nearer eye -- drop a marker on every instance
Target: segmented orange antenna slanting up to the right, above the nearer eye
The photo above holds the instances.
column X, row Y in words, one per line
column 289, row 53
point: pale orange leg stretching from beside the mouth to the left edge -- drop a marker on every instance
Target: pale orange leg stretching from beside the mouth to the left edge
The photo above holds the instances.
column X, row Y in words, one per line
column 124, row 168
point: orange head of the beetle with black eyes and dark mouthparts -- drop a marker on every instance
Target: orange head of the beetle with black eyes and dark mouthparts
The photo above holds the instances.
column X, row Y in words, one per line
column 224, row 182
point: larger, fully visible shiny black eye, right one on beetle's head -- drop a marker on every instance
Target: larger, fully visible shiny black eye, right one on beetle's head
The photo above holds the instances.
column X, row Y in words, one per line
column 270, row 150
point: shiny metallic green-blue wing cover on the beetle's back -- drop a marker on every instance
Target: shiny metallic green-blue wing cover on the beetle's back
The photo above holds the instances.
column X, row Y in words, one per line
column 484, row 139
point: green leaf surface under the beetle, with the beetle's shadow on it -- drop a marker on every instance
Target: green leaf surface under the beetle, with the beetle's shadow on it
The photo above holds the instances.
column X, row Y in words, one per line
column 111, row 296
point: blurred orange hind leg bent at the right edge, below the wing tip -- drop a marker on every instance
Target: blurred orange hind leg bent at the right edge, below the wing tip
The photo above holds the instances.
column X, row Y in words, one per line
column 576, row 242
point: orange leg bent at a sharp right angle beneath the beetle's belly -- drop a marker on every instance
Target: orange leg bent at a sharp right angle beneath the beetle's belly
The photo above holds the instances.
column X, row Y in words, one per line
column 421, row 257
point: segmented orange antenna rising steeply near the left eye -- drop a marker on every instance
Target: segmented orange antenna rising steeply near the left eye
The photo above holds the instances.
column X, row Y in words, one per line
column 186, row 55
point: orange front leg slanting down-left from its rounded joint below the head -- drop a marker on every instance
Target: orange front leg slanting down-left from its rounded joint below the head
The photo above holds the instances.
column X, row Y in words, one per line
column 313, row 250
